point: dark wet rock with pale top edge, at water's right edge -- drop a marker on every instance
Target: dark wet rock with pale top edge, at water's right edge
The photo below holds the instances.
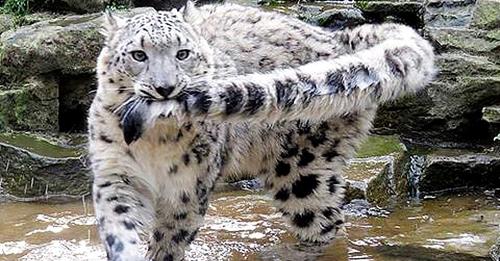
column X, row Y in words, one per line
column 451, row 170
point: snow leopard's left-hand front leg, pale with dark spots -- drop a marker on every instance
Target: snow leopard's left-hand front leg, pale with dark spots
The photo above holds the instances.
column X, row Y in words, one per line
column 121, row 212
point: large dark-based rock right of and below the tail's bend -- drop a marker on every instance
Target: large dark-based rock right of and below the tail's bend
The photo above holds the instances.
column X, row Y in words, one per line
column 450, row 108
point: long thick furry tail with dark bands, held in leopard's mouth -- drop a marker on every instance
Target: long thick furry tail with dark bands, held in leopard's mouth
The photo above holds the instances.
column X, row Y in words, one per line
column 315, row 91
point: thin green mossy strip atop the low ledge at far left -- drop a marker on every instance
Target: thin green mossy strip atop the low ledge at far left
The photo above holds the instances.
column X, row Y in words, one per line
column 38, row 146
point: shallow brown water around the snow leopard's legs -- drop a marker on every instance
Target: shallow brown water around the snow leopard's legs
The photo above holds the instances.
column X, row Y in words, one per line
column 244, row 226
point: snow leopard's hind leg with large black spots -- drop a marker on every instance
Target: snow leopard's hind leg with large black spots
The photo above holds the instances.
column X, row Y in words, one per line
column 306, row 182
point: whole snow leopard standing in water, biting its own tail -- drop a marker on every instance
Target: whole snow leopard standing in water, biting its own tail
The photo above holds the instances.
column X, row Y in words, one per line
column 188, row 96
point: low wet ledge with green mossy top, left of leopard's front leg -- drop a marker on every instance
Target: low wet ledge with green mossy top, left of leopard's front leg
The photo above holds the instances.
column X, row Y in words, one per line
column 35, row 169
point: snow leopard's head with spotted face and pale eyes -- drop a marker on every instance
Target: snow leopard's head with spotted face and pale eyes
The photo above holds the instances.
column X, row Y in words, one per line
column 153, row 55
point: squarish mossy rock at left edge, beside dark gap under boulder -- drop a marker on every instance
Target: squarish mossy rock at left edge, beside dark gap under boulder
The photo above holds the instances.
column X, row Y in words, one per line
column 32, row 106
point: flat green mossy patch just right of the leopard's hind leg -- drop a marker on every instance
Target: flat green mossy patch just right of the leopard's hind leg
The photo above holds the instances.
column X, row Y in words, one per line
column 380, row 146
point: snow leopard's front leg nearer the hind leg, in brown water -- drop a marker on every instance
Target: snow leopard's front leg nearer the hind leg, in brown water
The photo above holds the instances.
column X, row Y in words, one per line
column 181, row 207
